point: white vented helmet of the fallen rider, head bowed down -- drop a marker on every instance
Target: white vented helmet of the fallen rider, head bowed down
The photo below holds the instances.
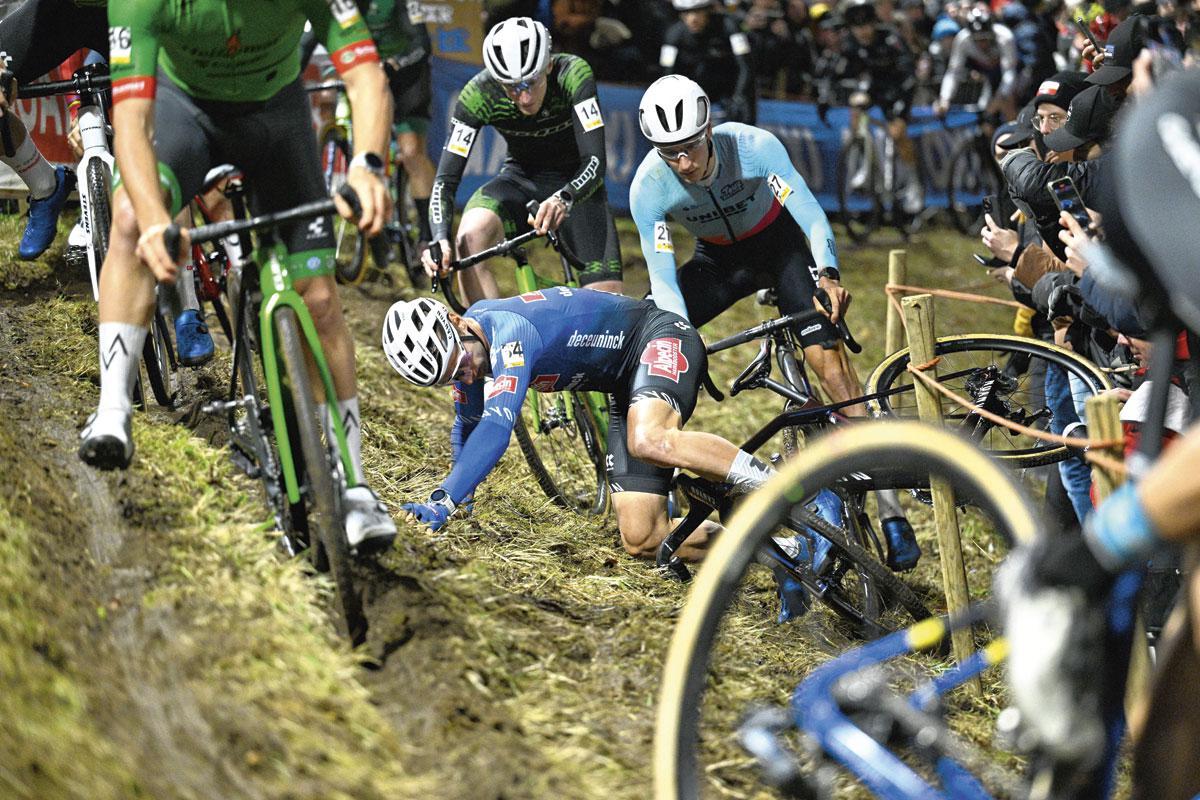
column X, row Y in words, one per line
column 419, row 341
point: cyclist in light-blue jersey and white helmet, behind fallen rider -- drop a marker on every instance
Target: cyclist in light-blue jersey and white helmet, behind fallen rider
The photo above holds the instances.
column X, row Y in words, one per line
column 729, row 187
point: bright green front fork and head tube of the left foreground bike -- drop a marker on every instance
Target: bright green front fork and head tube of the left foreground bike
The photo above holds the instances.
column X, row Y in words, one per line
column 279, row 292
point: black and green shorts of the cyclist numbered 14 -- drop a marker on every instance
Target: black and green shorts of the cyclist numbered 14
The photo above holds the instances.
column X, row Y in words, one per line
column 590, row 230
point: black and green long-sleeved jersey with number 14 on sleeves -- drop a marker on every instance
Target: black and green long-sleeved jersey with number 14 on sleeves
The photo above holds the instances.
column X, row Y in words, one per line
column 566, row 136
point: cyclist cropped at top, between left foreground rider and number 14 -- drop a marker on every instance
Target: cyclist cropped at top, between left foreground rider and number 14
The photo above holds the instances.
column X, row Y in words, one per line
column 404, row 46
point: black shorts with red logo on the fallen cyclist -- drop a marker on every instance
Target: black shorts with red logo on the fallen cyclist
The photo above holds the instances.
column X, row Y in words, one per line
column 671, row 363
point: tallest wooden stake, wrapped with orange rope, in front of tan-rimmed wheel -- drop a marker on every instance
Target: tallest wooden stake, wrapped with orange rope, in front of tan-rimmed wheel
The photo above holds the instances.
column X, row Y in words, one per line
column 919, row 312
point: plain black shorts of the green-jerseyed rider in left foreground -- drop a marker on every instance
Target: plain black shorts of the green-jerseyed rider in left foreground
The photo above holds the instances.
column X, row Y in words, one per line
column 272, row 142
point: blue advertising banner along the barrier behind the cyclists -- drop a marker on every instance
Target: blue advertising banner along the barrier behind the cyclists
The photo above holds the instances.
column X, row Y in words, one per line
column 814, row 146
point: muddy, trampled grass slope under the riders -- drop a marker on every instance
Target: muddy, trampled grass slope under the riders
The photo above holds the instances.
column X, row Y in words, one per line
column 153, row 645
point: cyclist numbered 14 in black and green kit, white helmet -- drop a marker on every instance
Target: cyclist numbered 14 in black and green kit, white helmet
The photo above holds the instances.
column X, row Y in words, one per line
column 545, row 107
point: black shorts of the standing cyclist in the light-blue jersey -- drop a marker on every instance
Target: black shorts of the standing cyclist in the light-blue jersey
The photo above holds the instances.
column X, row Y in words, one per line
column 776, row 258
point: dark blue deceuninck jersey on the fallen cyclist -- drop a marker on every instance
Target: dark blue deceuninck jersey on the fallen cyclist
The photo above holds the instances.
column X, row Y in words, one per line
column 548, row 341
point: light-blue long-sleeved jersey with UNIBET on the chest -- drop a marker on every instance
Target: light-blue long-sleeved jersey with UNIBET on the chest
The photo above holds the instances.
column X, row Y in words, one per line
column 754, row 181
